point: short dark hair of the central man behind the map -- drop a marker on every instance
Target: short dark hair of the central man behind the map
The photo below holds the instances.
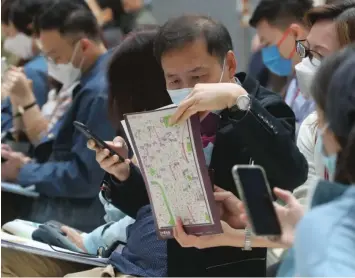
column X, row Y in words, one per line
column 179, row 31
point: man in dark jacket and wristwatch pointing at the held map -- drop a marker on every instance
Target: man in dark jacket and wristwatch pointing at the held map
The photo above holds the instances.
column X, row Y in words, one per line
column 197, row 49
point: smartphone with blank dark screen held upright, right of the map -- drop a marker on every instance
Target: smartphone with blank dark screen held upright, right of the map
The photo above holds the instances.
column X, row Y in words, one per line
column 254, row 190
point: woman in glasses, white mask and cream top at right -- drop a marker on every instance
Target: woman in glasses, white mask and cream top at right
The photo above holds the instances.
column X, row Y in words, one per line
column 332, row 28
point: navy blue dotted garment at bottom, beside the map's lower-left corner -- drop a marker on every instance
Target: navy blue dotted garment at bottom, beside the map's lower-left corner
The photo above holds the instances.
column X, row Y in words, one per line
column 144, row 254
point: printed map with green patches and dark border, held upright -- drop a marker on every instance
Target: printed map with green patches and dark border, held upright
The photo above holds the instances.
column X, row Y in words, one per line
column 172, row 163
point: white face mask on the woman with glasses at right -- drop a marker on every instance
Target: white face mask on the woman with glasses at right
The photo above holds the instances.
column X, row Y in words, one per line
column 305, row 72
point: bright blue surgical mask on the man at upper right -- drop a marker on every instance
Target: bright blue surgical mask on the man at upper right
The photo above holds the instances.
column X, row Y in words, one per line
column 275, row 62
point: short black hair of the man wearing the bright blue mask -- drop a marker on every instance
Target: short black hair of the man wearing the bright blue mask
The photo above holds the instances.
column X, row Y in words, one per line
column 280, row 12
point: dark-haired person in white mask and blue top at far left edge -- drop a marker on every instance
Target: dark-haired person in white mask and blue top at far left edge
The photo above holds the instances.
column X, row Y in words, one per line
column 16, row 21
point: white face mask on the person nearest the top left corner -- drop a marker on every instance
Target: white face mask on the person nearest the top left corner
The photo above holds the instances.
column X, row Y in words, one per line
column 20, row 45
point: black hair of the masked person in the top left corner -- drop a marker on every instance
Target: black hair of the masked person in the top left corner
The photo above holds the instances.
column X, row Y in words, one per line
column 23, row 13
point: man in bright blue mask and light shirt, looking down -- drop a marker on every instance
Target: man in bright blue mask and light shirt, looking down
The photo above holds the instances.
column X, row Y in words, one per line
column 278, row 24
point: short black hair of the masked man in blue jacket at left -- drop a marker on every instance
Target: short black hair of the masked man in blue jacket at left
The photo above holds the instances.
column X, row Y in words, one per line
column 68, row 17
